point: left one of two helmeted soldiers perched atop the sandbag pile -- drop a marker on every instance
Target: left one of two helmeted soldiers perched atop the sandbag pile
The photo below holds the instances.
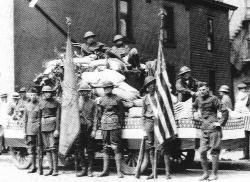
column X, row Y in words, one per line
column 91, row 46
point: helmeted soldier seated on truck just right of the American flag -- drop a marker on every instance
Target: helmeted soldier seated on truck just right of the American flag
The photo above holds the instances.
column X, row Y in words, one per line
column 186, row 85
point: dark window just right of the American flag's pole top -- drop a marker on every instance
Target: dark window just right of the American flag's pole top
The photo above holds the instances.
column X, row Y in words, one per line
column 168, row 28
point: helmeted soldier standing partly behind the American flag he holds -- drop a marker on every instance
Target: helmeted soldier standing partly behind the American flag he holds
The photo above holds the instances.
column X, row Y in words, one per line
column 148, row 118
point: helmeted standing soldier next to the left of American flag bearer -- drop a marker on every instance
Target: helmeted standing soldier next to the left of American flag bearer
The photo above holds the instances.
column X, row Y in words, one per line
column 111, row 112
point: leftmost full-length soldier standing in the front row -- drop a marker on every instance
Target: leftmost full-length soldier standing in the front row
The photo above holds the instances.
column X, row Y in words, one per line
column 31, row 126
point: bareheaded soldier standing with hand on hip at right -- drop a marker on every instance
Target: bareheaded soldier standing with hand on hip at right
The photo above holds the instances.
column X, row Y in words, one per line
column 205, row 108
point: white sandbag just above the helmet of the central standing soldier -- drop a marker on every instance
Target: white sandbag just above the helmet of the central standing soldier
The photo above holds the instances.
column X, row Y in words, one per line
column 111, row 75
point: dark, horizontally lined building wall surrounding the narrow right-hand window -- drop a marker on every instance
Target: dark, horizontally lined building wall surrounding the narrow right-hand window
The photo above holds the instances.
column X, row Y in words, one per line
column 202, row 60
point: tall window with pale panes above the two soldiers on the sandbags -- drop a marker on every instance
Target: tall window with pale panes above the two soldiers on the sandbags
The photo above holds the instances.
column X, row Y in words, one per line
column 124, row 18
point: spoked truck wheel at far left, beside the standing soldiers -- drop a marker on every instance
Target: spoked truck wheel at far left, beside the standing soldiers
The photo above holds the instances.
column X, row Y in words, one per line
column 20, row 157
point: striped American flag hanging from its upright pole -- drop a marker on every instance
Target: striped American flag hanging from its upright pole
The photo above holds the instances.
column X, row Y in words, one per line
column 165, row 127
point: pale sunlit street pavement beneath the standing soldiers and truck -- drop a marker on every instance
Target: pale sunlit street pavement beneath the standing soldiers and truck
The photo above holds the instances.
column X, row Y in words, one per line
column 9, row 173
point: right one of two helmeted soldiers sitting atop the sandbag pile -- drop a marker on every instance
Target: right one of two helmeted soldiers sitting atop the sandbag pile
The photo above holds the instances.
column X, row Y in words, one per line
column 123, row 51
